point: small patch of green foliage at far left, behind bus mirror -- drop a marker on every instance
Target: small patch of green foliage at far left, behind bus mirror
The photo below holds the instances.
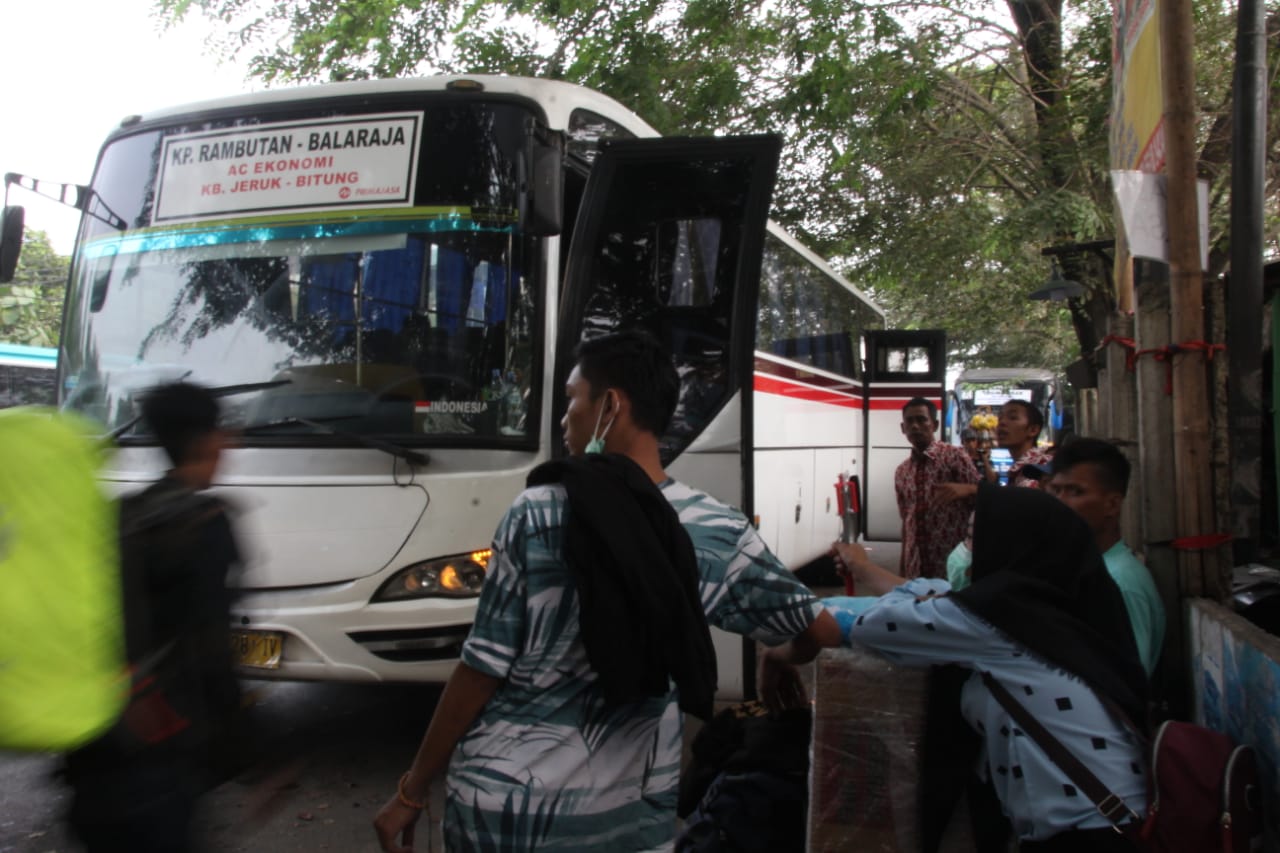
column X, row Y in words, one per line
column 31, row 307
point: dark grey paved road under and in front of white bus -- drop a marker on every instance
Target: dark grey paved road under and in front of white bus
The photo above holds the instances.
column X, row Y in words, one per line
column 353, row 741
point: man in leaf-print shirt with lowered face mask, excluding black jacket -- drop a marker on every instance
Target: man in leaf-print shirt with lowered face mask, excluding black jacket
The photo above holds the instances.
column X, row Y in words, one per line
column 537, row 759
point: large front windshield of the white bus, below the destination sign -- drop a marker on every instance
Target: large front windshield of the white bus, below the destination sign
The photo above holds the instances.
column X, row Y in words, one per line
column 414, row 321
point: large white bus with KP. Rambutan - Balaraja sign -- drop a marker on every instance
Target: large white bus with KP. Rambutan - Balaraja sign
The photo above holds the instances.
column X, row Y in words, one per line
column 387, row 280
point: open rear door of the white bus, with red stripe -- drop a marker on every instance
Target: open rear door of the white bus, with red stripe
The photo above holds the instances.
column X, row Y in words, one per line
column 900, row 364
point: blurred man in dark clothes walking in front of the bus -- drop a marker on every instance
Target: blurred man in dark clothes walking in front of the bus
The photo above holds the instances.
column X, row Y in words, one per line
column 138, row 787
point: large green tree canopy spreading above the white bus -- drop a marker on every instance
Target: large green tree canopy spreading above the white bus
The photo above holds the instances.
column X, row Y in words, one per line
column 932, row 147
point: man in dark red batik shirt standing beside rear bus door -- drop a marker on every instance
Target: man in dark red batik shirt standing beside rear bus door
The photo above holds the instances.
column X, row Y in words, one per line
column 935, row 518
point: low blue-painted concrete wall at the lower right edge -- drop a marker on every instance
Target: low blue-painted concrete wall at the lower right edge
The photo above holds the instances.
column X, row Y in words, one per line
column 1236, row 678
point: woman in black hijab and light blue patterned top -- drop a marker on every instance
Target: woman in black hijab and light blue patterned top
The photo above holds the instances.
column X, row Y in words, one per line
column 1048, row 623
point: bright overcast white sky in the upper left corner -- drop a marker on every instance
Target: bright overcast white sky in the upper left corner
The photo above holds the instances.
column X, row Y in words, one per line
column 72, row 70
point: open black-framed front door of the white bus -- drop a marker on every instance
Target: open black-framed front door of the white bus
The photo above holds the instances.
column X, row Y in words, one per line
column 669, row 239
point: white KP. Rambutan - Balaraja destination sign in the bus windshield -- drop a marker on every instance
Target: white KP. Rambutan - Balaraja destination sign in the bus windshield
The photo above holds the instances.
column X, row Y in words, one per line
column 321, row 165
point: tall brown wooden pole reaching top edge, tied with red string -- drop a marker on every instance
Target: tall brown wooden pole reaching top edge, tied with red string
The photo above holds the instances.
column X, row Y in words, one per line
column 1192, row 445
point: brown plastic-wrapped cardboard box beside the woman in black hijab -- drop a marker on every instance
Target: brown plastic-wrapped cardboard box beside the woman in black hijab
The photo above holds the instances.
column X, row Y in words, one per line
column 868, row 733
